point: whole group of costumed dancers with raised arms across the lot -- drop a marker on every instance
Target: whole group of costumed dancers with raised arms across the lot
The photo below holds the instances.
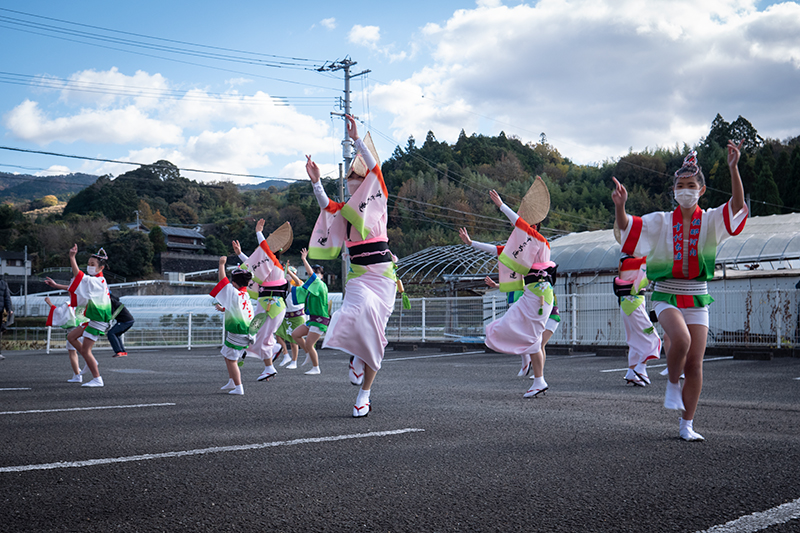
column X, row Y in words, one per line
column 265, row 303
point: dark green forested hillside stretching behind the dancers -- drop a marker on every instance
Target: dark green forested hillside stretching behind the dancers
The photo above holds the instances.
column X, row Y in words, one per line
column 433, row 189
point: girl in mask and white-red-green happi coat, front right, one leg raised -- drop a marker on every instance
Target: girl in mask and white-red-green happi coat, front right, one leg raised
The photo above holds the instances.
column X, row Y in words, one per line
column 681, row 249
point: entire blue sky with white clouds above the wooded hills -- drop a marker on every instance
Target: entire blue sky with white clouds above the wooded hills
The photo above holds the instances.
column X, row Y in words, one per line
column 235, row 88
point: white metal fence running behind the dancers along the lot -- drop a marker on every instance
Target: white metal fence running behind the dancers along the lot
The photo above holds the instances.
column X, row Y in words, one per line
column 737, row 318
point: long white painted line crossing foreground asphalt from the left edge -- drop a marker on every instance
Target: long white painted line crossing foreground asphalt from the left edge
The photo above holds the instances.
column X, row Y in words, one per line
column 201, row 451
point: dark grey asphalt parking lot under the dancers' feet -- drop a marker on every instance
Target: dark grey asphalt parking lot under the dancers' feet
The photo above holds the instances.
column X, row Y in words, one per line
column 450, row 445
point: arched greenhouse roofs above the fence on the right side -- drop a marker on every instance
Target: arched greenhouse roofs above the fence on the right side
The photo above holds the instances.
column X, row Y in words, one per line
column 771, row 242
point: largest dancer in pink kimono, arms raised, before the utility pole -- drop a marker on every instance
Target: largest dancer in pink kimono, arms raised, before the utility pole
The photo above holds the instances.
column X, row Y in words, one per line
column 358, row 327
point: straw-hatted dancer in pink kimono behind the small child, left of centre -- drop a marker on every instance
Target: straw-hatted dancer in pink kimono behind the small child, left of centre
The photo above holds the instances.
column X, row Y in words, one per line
column 269, row 288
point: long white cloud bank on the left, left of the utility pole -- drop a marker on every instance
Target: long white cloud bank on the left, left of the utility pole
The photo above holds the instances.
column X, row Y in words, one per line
column 228, row 132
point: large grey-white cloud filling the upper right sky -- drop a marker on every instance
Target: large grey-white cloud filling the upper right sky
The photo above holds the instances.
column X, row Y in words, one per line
column 599, row 77
